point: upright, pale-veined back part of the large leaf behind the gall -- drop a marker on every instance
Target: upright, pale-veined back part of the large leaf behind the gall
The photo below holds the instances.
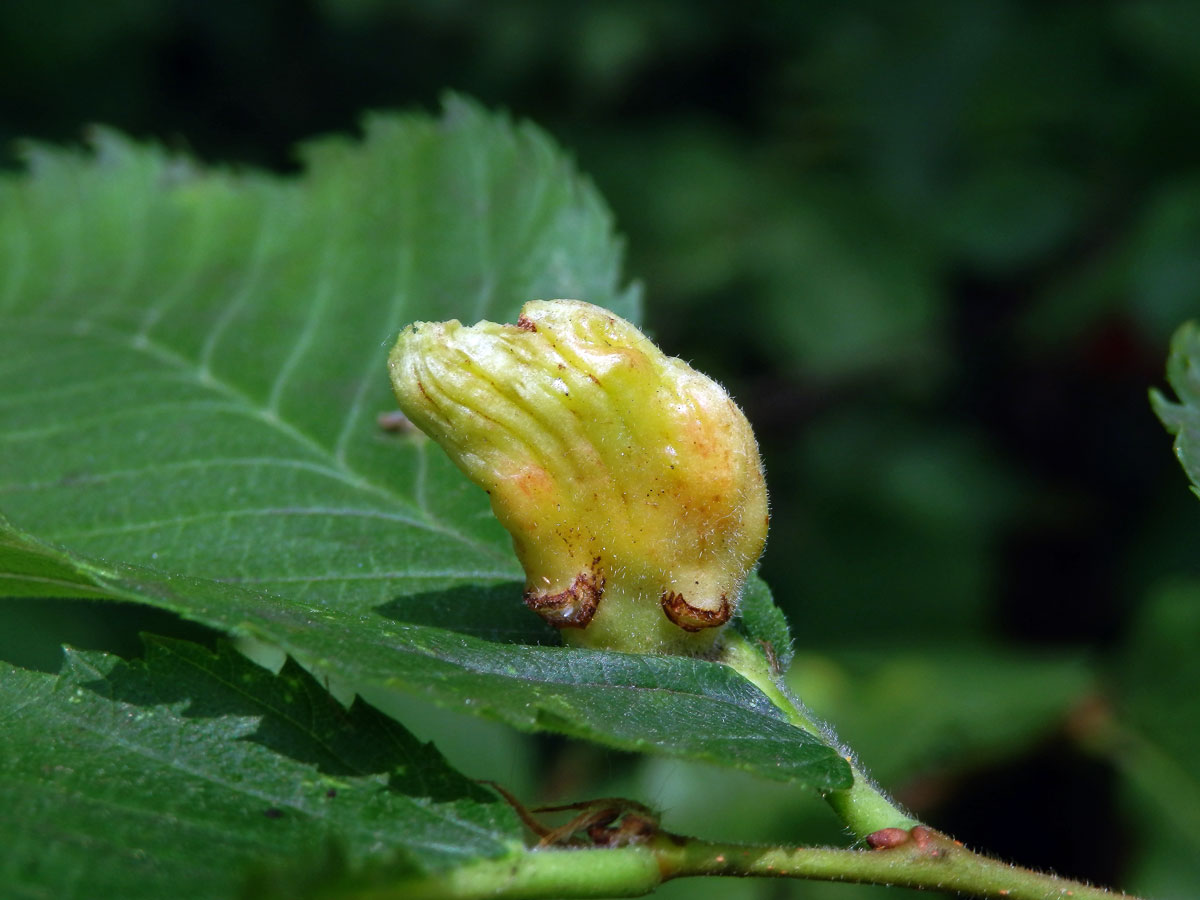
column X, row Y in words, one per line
column 194, row 362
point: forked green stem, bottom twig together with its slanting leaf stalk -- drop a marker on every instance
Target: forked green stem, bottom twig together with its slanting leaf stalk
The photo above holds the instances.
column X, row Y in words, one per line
column 914, row 856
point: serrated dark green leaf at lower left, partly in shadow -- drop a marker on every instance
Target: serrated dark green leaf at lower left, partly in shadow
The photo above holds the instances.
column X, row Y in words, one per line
column 173, row 776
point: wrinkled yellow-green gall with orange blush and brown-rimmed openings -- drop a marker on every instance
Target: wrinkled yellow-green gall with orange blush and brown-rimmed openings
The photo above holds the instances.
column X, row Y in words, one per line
column 631, row 483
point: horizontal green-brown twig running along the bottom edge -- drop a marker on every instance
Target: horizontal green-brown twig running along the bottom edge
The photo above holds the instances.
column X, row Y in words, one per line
column 928, row 861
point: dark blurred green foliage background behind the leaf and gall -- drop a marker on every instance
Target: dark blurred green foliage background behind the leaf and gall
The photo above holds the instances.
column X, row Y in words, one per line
column 937, row 250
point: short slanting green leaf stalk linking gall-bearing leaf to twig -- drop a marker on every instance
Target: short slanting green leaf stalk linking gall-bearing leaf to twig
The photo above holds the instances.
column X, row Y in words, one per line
column 863, row 807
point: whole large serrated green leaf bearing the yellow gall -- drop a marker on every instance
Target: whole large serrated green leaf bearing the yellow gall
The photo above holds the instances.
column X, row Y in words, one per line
column 194, row 370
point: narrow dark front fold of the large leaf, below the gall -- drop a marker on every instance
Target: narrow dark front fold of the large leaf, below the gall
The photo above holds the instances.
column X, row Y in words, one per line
column 681, row 707
